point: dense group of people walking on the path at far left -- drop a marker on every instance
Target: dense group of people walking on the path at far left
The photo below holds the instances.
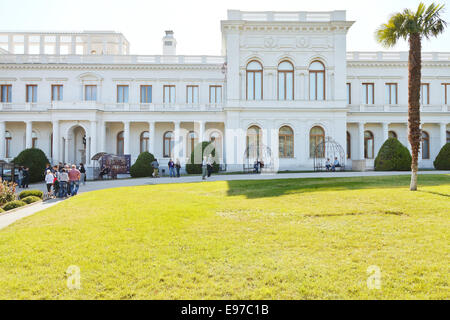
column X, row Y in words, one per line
column 64, row 180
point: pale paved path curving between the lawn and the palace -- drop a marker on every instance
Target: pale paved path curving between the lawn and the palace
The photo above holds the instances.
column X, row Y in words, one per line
column 7, row 219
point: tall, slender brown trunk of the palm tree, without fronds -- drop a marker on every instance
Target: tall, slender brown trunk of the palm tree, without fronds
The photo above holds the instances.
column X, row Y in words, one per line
column 414, row 84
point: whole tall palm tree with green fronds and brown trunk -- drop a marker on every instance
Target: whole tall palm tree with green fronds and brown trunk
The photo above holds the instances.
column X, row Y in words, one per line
column 413, row 27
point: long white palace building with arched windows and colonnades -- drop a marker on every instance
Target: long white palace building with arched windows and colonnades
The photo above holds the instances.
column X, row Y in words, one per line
column 284, row 82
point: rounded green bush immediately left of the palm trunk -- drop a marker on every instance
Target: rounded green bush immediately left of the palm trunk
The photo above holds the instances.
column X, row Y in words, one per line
column 393, row 156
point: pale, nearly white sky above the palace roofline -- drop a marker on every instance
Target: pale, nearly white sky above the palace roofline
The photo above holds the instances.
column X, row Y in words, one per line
column 196, row 22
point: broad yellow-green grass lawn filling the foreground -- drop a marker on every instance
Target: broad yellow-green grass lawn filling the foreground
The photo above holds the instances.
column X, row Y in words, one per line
column 280, row 239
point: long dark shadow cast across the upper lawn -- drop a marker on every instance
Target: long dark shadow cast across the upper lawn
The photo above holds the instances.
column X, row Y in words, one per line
column 273, row 188
